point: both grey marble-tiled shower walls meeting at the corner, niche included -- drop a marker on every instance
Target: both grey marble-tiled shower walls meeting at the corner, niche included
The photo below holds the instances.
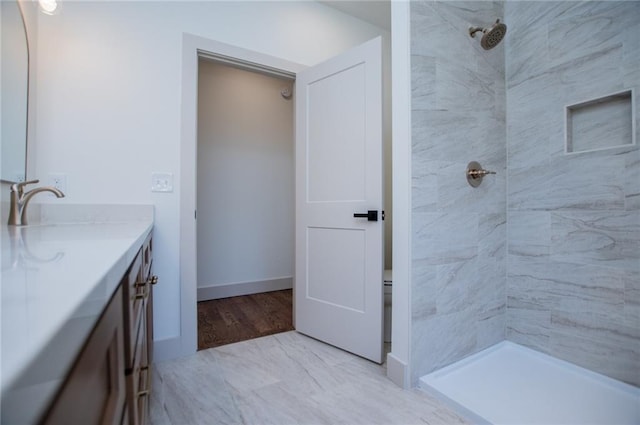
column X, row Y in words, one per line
column 546, row 253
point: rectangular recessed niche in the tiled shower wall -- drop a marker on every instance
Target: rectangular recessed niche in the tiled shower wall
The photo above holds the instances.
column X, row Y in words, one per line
column 602, row 123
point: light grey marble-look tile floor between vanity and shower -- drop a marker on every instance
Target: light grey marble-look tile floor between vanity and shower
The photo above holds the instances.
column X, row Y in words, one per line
column 285, row 378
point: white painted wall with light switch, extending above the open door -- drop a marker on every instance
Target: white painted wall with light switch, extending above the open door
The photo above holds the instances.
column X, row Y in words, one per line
column 94, row 112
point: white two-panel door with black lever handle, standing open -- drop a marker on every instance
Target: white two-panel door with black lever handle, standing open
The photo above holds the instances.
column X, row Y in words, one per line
column 339, row 257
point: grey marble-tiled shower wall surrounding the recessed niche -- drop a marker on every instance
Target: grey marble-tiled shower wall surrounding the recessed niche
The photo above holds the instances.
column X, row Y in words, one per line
column 573, row 283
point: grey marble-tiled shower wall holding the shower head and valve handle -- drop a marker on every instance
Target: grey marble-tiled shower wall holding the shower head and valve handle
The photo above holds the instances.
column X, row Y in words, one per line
column 459, row 233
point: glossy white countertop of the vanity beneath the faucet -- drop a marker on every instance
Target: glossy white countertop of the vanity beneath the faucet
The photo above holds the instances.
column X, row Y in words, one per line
column 56, row 281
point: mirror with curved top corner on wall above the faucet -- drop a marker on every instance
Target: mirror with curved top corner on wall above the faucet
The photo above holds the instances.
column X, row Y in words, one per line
column 14, row 50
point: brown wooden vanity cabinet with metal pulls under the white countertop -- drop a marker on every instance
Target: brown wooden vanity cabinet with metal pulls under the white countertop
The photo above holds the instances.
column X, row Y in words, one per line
column 110, row 382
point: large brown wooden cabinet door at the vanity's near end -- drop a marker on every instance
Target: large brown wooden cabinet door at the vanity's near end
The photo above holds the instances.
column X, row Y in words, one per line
column 94, row 391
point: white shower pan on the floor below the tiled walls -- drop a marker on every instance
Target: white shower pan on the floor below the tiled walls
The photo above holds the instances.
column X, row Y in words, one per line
column 511, row 384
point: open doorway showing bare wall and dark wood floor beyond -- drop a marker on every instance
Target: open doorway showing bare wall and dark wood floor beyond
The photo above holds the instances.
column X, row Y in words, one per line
column 245, row 202
